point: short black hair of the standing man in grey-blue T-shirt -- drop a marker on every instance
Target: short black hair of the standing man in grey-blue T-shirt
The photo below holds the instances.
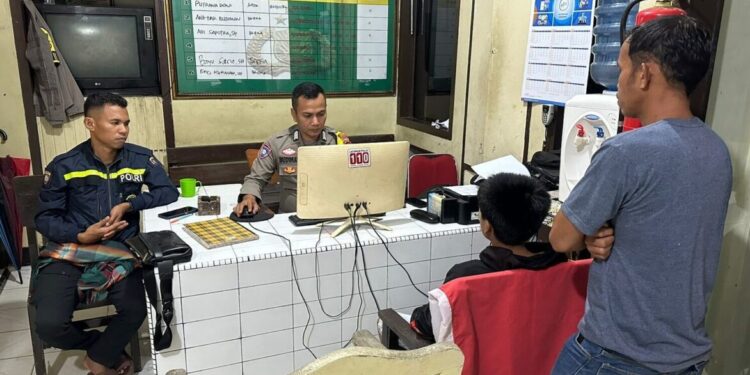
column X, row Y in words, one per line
column 681, row 45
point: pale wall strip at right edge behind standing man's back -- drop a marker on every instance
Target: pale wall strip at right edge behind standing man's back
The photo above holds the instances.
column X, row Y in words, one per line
column 729, row 116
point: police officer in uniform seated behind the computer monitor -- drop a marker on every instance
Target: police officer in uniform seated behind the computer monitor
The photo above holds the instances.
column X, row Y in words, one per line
column 279, row 153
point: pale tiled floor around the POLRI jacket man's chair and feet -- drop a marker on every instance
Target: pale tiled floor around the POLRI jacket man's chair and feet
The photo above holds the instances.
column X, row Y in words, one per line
column 15, row 341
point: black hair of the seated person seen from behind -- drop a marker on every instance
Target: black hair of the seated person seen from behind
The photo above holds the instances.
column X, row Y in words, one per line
column 514, row 205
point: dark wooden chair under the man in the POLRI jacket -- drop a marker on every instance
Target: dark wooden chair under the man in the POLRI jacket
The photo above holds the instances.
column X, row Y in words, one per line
column 27, row 198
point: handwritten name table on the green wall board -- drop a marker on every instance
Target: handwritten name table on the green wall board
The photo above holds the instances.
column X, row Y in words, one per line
column 263, row 39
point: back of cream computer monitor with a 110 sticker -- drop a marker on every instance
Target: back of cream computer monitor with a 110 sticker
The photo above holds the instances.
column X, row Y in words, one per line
column 328, row 177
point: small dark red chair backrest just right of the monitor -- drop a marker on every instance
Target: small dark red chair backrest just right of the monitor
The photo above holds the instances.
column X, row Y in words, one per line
column 429, row 170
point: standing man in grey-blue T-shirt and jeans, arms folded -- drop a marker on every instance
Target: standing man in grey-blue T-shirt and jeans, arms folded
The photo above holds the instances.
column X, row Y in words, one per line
column 664, row 189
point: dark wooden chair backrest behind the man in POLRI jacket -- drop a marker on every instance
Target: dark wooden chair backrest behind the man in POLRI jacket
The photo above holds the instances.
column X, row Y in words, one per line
column 27, row 199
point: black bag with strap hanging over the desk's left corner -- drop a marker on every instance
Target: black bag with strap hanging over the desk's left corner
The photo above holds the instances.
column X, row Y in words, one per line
column 162, row 250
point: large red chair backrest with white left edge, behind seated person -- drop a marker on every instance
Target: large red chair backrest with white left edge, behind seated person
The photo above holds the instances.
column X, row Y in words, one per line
column 511, row 322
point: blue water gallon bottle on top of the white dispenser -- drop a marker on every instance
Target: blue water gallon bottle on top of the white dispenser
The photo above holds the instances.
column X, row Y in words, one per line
column 608, row 13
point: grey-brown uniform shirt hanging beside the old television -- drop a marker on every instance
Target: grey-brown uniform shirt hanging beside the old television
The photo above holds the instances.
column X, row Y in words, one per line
column 56, row 94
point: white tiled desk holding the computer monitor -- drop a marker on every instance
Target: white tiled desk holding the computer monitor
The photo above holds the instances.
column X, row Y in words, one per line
column 238, row 310
